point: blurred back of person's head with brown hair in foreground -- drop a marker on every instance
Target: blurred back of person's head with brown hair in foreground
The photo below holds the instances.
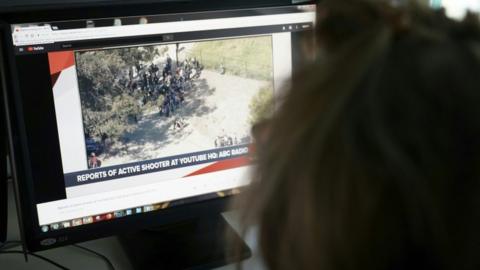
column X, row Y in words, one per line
column 373, row 159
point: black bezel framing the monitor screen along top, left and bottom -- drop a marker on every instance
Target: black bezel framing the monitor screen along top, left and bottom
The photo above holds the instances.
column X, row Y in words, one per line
column 18, row 142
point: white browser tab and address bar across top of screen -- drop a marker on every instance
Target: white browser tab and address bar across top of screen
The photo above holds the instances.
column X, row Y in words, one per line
column 24, row 35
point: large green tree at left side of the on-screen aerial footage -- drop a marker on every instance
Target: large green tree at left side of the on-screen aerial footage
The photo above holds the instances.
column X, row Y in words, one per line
column 109, row 109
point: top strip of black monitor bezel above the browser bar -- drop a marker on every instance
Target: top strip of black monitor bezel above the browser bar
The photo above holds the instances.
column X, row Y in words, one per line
column 125, row 8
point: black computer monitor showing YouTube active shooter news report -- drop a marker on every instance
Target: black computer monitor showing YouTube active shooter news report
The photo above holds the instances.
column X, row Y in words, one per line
column 122, row 119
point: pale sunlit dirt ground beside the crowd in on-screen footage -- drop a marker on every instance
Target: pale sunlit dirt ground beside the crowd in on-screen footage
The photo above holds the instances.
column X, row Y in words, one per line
column 217, row 105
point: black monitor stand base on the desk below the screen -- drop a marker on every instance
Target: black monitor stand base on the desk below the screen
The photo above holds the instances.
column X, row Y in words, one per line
column 202, row 243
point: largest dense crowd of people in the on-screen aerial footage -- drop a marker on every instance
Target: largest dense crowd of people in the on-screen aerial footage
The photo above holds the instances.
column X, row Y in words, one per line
column 169, row 83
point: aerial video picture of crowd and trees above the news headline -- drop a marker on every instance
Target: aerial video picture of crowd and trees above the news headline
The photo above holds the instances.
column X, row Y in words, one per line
column 146, row 102
